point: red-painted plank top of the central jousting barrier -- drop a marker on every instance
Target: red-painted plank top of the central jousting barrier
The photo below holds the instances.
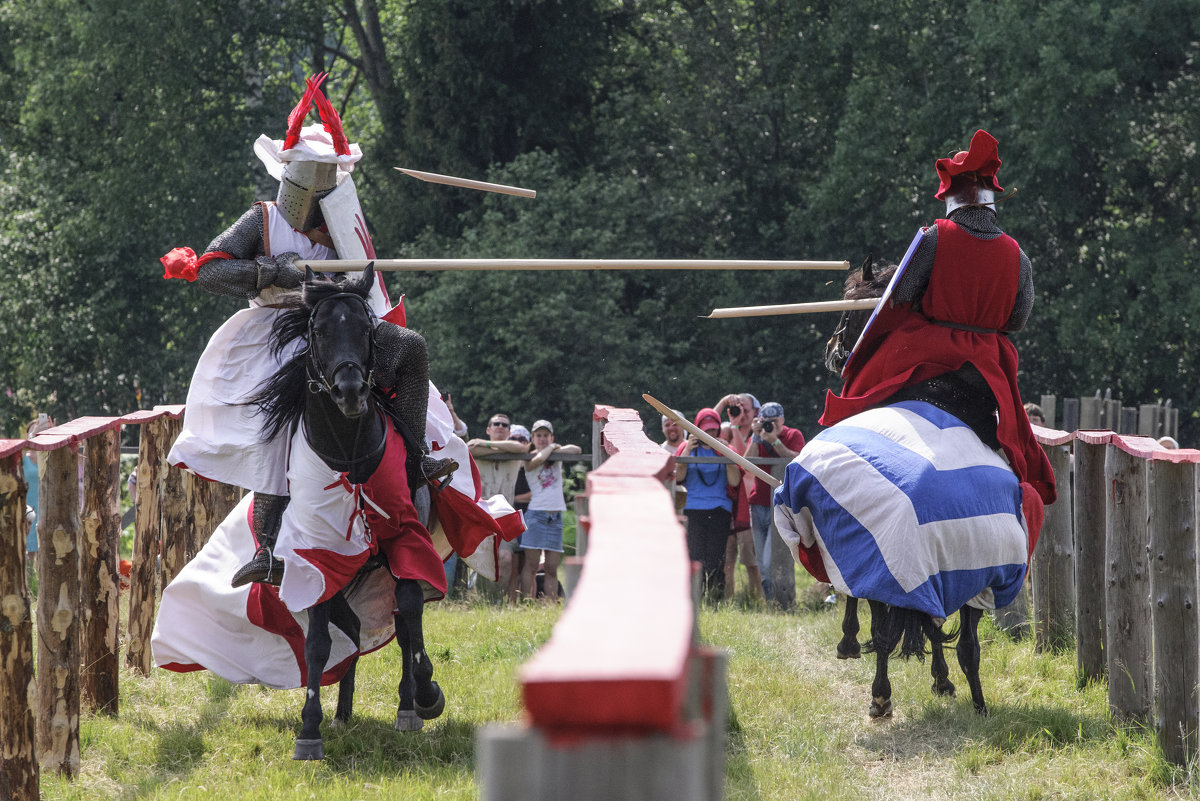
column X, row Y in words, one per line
column 619, row 657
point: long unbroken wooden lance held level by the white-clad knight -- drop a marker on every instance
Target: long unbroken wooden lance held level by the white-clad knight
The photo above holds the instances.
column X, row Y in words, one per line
column 440, row 266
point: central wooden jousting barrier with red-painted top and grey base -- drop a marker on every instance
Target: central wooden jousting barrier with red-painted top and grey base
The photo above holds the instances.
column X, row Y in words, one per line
column 621, row 704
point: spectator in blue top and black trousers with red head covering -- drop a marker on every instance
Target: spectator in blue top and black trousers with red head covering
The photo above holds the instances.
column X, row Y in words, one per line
column 710, row 507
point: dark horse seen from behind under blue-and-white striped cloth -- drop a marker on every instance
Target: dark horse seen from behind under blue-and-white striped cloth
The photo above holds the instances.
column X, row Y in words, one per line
column 891, row 627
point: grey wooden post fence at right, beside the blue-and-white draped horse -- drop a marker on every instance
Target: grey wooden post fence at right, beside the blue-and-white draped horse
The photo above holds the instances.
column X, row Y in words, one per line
column 1115, row 576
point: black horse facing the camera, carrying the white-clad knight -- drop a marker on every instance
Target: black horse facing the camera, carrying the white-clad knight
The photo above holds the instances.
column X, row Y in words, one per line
column 329, row 389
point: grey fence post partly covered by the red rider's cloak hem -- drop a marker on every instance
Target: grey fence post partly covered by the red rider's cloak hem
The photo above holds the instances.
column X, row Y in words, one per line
column 1054, row 567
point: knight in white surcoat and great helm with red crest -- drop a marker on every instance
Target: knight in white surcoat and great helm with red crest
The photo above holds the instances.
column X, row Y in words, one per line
column 256, row 260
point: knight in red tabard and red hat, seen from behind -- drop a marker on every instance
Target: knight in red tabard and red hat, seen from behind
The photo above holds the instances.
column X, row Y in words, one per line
column 944, row 336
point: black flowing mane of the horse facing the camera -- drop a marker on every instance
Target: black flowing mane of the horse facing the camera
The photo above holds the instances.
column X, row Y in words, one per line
column 281, row 398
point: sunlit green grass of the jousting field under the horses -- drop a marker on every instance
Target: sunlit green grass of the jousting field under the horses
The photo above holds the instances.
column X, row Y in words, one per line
column 800, row 726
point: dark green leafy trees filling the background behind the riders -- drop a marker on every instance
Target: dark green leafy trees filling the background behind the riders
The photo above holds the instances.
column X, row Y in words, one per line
column 687, row 129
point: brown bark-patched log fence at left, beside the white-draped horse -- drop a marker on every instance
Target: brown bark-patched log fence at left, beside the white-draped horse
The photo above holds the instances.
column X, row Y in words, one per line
column 79, row 581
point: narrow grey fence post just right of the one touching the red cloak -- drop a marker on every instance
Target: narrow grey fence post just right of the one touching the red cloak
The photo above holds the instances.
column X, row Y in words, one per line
column 1089, row 510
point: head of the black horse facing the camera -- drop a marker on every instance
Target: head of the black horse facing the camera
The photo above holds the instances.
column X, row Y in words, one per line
column 341, row 341
